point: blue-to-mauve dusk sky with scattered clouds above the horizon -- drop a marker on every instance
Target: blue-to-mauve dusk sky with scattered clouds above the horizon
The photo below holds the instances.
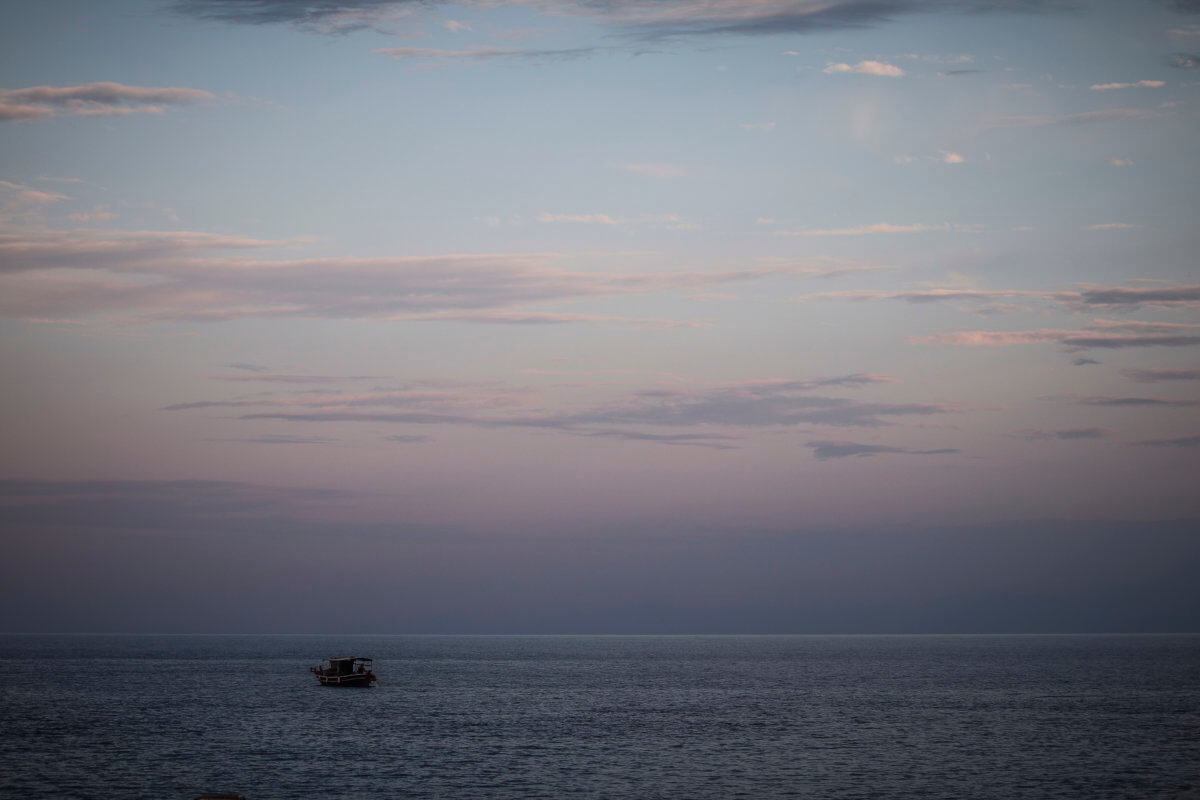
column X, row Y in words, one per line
column 601, row 316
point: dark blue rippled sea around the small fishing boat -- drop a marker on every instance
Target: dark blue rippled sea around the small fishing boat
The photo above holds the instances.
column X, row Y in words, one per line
column 603, row 717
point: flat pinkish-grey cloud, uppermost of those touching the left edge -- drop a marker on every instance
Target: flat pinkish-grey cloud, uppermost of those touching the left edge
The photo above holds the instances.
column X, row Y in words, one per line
column 104, row 99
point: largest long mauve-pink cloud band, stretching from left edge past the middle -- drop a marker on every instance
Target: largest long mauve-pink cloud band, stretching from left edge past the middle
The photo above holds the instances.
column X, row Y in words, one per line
column 187, row 276
